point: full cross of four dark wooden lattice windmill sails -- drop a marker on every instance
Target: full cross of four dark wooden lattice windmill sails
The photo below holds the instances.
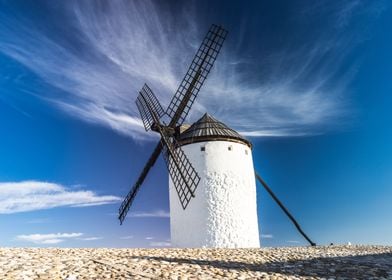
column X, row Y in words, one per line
column 184, row 176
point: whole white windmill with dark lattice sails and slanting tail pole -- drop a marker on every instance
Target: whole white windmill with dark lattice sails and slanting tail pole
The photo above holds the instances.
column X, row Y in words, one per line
column 223, row 213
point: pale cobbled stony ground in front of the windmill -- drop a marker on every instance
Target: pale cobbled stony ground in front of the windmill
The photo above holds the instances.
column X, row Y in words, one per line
column 324, row 262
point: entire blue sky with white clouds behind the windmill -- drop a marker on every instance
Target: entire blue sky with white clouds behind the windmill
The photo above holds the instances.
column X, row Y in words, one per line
column 308, row 83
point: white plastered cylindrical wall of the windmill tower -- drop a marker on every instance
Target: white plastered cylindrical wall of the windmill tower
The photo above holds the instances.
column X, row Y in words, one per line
column 223, row 213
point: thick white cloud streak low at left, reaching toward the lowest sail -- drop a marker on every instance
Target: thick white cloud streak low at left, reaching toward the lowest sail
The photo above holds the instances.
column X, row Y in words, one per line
column 34, row 195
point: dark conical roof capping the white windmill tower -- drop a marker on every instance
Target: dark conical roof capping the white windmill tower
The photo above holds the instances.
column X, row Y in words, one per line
column 207, row 128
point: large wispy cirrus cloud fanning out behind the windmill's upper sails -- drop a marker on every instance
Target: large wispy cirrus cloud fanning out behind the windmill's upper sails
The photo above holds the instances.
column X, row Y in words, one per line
column 296, row 88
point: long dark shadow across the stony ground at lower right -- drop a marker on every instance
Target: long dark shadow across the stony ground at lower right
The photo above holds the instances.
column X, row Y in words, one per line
column 374, row 266
